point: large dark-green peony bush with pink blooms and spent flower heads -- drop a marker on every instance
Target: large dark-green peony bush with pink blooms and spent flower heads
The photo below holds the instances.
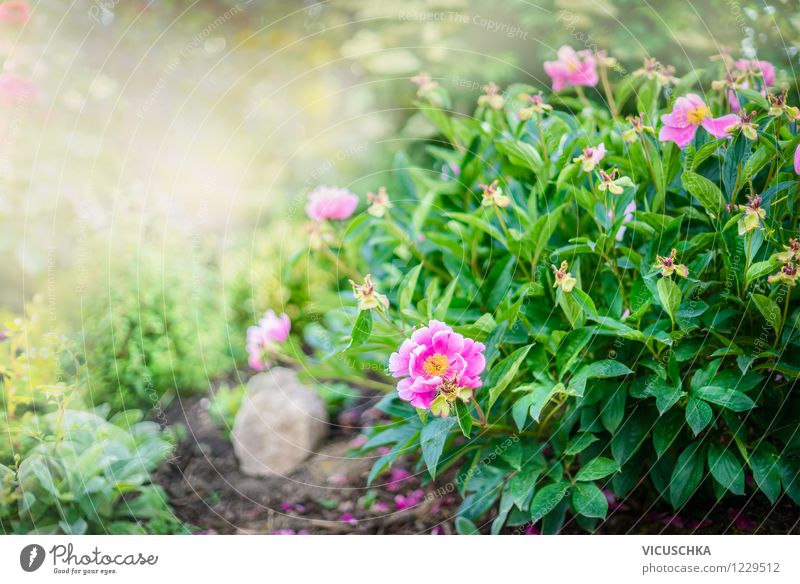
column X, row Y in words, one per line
column 576, row 294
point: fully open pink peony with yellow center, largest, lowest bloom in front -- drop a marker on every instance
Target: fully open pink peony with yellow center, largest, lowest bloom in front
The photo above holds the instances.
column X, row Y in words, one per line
column 437, row 361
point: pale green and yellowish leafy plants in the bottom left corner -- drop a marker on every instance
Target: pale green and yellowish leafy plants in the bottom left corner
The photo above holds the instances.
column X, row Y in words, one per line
column 64, row 469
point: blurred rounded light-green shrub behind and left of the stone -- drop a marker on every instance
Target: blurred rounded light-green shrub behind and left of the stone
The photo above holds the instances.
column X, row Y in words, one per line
column 154, row 330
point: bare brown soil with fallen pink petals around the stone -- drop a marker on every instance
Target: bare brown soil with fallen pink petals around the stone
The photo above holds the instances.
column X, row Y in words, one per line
column 327, row 495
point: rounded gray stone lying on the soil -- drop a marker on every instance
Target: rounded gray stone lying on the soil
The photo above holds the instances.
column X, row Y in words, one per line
column 280, row 423
